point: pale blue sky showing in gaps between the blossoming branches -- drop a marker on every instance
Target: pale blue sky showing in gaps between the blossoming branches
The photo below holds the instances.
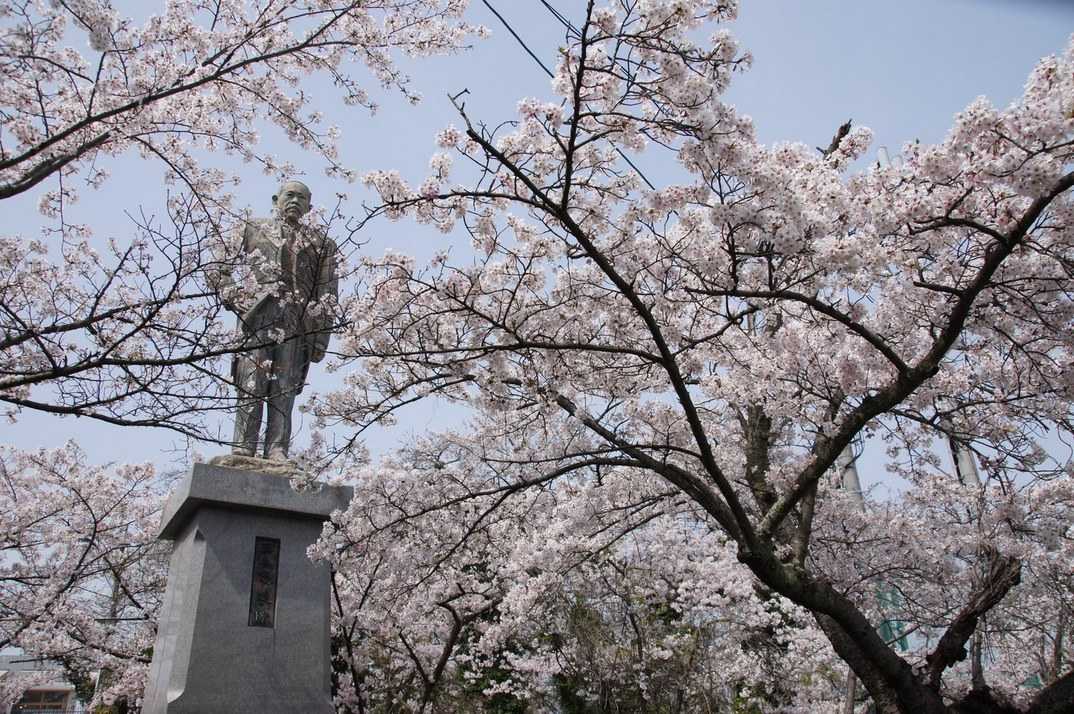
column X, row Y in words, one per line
column 904, row 69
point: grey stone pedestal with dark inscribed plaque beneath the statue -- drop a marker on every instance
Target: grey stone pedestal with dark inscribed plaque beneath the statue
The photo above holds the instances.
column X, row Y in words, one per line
column 244, row 626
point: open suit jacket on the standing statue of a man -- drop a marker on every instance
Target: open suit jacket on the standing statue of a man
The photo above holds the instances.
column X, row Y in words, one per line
column 298, row 271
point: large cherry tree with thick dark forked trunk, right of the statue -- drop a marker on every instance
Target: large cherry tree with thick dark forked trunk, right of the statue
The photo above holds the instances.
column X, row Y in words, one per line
column 680, row 370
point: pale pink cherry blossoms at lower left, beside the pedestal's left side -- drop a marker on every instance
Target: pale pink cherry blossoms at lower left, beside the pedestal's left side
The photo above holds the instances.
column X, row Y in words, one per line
column 83, row 575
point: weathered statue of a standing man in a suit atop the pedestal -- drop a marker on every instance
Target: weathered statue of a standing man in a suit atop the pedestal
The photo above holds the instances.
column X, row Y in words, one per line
column 286, row 324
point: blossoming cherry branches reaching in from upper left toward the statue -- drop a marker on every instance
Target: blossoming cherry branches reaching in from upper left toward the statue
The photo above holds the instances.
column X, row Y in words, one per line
column 128, row 331
